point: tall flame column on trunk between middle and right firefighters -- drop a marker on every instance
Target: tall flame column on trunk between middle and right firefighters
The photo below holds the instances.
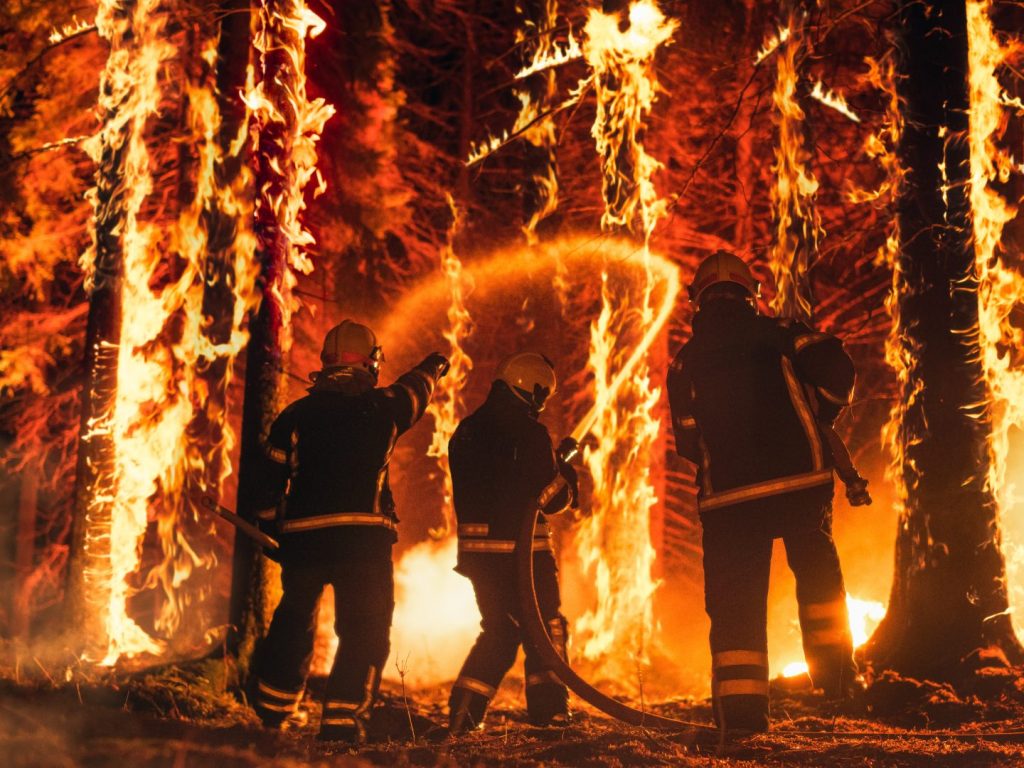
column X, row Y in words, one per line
column 614, row 543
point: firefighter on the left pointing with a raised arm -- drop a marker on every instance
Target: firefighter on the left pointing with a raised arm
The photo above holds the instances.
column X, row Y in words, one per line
column 329, row 500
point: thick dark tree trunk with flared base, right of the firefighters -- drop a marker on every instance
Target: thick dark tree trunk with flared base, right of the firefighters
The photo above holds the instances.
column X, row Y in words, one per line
column 949, row 598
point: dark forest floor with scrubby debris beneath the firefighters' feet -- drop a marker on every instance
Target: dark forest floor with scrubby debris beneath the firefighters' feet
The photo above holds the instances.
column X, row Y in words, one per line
column 184, row 716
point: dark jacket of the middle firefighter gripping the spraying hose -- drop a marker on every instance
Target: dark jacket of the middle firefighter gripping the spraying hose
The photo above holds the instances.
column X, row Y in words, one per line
column 501, row 459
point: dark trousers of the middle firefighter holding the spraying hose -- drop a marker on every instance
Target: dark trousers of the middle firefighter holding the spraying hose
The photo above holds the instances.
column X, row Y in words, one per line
column 495, row 652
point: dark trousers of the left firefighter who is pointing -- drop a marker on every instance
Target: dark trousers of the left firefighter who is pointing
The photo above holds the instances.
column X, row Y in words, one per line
column 364, row 600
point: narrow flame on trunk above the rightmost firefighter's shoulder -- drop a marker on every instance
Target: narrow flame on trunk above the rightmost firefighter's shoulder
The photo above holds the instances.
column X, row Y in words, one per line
column 798, row 228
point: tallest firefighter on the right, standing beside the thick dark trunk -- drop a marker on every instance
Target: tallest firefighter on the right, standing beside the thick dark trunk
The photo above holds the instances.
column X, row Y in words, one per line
column 751, row 399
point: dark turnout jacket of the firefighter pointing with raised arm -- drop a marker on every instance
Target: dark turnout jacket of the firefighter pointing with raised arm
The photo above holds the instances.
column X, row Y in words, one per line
column 330, row 451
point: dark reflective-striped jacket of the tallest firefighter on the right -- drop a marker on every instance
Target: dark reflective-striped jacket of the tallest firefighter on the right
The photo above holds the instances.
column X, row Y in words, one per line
column 748, row 395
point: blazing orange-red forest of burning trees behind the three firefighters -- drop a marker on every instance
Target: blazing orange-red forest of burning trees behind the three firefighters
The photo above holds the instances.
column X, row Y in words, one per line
column 189, row 188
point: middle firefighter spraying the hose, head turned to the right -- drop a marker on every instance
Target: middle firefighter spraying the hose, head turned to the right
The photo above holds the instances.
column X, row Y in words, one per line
column 502, row 458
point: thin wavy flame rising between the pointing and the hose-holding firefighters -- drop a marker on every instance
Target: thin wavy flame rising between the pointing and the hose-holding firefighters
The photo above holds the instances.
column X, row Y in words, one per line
column 446, row 406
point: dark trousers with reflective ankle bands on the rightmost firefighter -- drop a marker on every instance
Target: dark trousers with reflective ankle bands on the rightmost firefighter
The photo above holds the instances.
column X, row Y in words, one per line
column 738, row 547
